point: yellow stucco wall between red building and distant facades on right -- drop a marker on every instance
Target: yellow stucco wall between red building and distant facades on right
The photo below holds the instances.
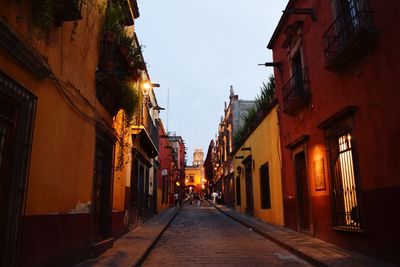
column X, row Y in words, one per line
column 265, row 148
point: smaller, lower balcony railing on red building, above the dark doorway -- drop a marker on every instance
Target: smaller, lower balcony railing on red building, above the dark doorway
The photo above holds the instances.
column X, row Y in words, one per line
column 295, row 92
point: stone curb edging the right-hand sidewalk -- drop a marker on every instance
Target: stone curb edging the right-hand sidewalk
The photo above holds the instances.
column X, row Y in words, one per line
column 289, row 248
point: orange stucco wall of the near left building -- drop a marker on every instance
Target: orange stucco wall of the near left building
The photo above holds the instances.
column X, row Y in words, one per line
column 62, row 159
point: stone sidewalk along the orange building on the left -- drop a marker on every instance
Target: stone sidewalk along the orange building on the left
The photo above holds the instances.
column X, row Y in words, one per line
column 131, row 248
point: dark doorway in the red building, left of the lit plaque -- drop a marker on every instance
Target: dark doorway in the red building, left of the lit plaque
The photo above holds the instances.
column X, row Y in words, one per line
column 303, row 199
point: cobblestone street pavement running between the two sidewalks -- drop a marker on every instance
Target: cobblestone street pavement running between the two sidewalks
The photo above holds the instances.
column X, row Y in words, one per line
column 203, row 236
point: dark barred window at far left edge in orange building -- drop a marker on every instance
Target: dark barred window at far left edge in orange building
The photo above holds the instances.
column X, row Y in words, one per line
column 17, row 115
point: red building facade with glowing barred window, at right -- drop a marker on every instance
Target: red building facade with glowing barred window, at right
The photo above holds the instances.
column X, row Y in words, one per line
column 336, row 75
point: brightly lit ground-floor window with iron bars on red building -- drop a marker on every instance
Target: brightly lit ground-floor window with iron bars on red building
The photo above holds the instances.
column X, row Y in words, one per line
column 345, row 188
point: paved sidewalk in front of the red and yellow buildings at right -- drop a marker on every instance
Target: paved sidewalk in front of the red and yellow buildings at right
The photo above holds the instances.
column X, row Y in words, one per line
column 312, row 250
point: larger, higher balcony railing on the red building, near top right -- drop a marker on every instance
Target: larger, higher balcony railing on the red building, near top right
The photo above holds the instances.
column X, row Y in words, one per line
column 351, row 34
